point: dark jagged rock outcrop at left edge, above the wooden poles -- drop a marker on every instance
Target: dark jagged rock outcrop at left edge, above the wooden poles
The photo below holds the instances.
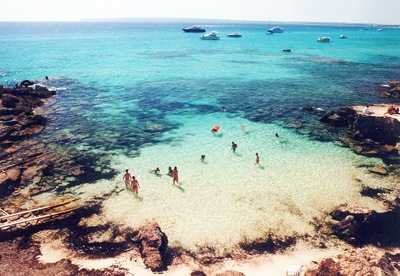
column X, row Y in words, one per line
column 18, row 123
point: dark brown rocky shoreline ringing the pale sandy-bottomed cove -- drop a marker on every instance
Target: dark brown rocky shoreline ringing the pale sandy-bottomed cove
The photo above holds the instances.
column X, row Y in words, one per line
column 370, row 237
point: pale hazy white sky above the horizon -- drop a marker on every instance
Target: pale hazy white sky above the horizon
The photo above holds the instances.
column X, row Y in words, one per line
column 347, row 11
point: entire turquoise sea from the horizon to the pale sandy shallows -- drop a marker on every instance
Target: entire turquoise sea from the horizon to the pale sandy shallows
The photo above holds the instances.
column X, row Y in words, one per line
column 147, row 95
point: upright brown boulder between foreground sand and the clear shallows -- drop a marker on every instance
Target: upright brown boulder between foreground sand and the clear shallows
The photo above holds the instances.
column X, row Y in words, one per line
column 153, row 246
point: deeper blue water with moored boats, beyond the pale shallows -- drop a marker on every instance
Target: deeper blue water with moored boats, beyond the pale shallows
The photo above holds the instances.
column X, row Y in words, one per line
column 117, row 73
